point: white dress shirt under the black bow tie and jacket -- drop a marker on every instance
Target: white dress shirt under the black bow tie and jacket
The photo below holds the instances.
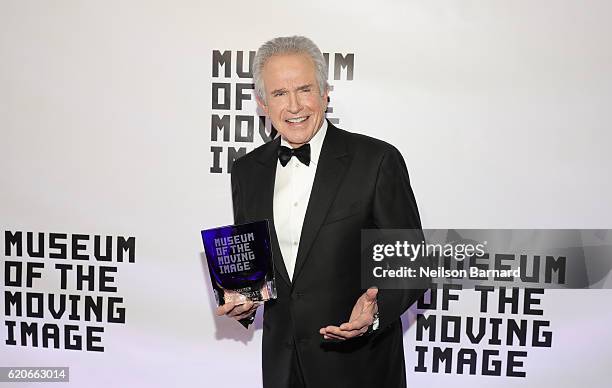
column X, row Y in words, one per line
column 291, row 194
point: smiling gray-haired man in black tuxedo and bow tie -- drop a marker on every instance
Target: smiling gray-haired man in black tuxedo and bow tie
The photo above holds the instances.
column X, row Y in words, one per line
column 320, row 186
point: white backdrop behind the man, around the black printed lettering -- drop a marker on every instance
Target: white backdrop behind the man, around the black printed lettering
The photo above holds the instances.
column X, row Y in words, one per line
column 500, row 108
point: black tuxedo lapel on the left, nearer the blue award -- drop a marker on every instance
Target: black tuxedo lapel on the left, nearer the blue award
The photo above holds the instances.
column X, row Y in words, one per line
column 265, row 198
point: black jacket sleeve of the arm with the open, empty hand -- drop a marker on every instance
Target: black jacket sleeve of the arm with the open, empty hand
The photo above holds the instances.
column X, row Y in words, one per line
column 394, row 207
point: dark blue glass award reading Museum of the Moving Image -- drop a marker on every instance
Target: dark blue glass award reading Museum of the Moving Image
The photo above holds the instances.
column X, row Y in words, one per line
column 240, row 264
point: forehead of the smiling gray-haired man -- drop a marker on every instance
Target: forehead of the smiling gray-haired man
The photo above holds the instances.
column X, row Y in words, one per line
column 287, row 70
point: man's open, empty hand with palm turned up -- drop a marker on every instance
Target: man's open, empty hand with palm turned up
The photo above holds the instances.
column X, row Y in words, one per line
column 361, row 318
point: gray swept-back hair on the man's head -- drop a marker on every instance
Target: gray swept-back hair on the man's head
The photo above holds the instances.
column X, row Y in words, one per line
column 289, row 45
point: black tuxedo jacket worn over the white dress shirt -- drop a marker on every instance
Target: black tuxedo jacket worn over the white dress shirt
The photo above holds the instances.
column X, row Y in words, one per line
column 360, row 183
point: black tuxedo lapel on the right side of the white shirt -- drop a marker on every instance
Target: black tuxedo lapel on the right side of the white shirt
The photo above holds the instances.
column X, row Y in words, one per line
column 333, row 163
